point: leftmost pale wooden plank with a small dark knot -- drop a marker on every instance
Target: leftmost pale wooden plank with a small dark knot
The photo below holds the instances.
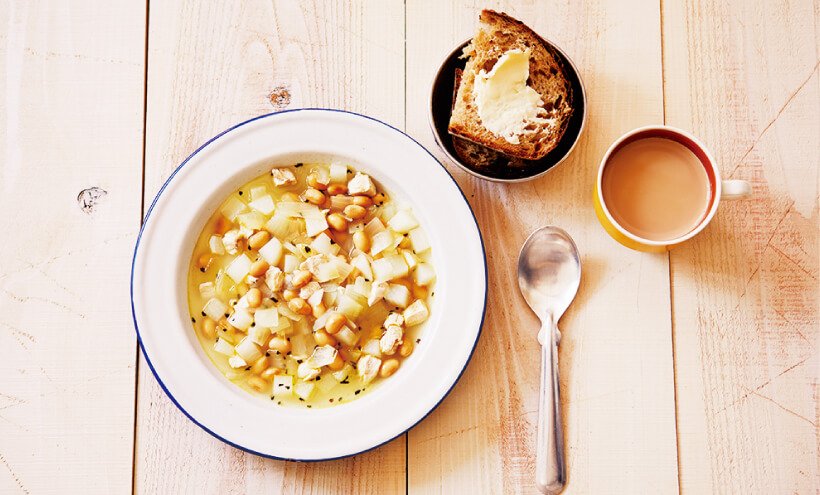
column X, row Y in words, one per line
column 71, row 118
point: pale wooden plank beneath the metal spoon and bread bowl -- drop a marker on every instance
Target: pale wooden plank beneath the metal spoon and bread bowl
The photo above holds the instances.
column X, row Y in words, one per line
column 616, row 354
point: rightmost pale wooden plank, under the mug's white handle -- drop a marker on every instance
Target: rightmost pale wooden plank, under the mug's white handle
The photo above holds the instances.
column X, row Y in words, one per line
column 744, row 77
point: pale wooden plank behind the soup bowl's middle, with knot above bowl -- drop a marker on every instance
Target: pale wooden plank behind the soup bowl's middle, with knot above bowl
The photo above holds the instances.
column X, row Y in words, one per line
column 209, row 68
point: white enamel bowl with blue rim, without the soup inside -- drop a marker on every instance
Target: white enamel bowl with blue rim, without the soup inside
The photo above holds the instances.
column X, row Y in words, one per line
column 191, row 195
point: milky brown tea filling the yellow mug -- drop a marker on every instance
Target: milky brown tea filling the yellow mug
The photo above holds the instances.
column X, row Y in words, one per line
column 656, row 188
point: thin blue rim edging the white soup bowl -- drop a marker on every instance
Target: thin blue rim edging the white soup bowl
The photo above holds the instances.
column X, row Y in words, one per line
column 151, row 209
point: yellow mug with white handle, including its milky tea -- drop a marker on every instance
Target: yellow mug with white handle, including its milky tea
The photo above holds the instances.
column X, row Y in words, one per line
column 658, row 187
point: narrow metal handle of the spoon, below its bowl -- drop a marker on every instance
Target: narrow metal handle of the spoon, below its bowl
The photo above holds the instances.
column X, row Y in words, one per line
column 550, row 470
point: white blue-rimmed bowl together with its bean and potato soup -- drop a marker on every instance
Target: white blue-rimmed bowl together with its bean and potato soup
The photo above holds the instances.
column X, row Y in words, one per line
column 308, row 284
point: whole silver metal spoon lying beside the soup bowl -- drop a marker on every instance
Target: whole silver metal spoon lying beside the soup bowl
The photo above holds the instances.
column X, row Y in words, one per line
column 549, row 272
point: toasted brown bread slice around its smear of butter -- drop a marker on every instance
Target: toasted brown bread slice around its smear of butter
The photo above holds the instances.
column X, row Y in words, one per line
column 497, row 34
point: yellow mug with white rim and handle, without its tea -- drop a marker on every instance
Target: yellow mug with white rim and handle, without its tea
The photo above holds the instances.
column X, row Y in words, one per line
column 719, row 189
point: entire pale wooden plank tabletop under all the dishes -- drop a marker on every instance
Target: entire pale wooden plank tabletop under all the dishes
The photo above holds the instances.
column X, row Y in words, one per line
column 694, row 371
